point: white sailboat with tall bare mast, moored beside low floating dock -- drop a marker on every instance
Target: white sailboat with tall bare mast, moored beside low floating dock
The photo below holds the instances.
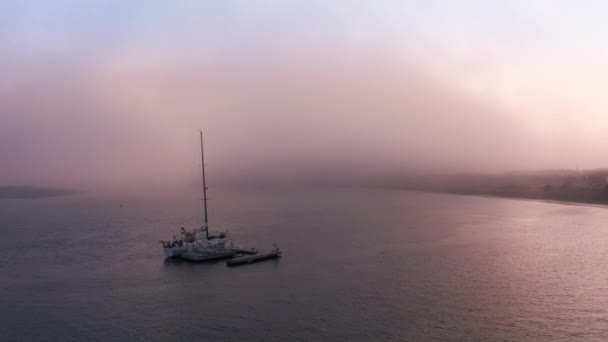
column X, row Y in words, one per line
column 197, row 240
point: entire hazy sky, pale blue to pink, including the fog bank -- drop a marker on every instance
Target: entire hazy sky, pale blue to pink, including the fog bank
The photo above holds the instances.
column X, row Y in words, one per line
column 115, row 94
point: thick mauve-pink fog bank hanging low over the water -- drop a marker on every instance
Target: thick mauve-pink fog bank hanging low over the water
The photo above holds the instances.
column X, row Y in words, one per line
column 330, row 116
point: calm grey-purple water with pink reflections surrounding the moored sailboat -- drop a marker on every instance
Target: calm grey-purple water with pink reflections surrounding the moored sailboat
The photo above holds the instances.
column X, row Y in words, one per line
column 358, row 265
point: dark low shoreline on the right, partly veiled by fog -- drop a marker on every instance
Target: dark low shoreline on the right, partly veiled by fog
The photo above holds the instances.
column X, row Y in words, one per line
column 588, row 186
